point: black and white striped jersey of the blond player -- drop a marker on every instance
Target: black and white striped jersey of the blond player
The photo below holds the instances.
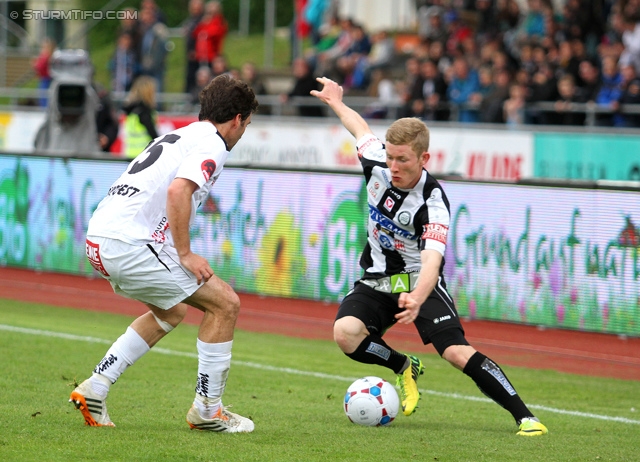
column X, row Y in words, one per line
column 401, row 223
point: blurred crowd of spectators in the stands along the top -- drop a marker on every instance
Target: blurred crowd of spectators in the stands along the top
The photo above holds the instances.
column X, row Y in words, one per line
column 491, row 61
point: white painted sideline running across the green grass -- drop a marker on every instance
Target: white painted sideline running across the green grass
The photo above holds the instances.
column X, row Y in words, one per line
column 287, row 370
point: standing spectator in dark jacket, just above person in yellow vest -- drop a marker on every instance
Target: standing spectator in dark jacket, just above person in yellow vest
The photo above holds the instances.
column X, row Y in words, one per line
column 153, row 51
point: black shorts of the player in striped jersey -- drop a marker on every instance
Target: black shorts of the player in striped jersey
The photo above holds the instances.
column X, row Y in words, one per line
column 437, row 321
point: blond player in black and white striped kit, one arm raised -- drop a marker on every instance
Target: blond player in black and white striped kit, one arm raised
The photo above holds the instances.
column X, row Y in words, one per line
column 403, row 265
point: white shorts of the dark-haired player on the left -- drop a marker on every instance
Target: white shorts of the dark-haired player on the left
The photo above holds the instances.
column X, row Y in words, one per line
column 149, row 273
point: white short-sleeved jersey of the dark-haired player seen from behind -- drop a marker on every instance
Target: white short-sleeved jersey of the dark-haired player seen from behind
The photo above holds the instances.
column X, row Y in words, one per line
column 135, row 208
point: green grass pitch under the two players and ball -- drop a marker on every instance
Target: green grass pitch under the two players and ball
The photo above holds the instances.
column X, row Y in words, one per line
column 293, row 390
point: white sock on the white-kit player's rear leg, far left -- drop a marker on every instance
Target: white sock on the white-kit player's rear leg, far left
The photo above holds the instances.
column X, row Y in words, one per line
column 123, row 353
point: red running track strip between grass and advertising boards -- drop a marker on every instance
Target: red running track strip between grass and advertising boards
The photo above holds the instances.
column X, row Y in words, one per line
column 511, row 344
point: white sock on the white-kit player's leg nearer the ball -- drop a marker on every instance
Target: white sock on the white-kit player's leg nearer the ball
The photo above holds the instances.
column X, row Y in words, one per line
column 214, row 361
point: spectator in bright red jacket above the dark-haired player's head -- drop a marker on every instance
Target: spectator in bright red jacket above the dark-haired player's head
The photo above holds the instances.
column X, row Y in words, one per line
column 209, row 34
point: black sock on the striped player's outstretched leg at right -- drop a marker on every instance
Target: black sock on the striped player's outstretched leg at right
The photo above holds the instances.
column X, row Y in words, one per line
column 493, row 382
